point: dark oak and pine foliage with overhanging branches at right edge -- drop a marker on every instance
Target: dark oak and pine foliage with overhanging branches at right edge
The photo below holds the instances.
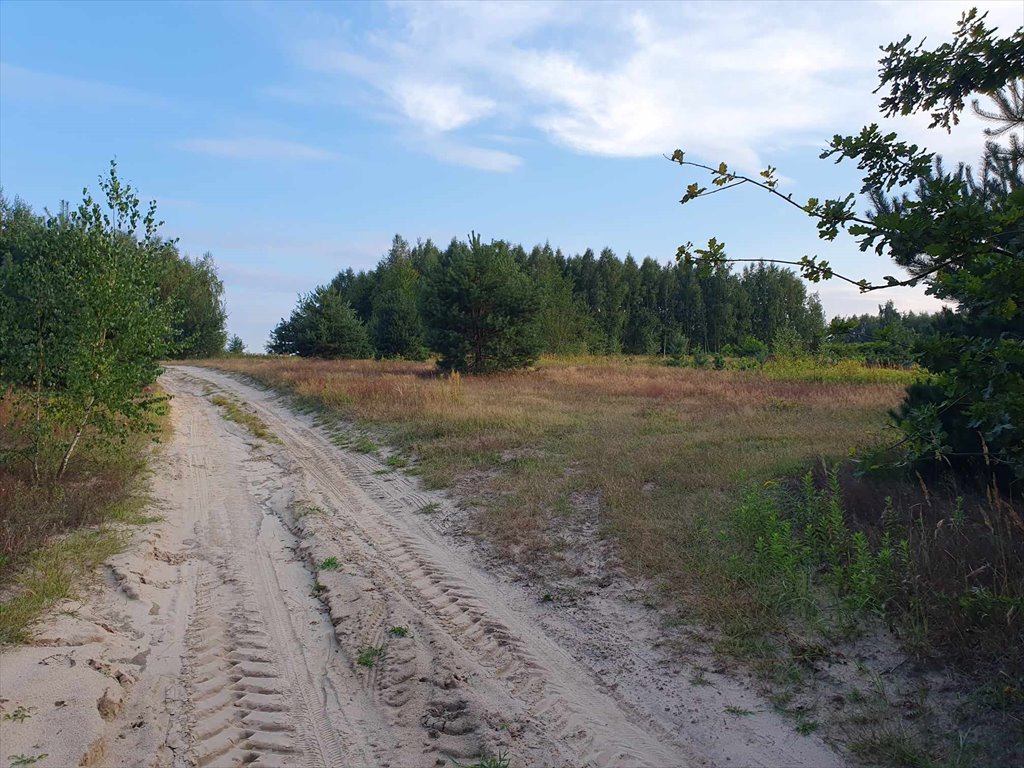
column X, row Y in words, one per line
column 958, row 232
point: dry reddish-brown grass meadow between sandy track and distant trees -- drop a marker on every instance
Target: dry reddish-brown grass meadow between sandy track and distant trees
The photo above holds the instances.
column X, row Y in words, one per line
column 663, row 450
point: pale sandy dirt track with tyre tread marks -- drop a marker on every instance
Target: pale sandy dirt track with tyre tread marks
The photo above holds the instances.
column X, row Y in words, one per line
column 215, row 642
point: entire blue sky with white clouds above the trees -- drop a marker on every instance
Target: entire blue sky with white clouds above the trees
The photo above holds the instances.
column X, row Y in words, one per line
column 293, row 141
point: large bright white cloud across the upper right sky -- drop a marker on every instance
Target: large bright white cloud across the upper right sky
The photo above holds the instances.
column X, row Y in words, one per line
column 721, row 80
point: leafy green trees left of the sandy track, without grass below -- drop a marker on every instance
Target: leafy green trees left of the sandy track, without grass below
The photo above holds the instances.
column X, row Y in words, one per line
column 92, row 300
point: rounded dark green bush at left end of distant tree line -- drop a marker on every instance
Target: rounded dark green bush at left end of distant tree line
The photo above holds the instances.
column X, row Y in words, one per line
column 323, row 325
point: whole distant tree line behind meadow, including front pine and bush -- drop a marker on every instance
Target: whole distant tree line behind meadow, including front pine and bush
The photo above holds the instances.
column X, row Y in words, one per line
column 483, row 307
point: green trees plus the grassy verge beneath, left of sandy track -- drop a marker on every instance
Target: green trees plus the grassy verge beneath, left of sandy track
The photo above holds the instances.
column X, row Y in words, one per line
column 91, row 300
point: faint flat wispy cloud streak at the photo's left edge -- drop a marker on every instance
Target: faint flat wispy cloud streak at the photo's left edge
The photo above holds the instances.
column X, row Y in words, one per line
column 22, row 83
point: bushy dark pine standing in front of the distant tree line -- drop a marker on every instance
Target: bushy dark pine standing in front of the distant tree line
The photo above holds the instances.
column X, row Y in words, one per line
column 481, row 309
